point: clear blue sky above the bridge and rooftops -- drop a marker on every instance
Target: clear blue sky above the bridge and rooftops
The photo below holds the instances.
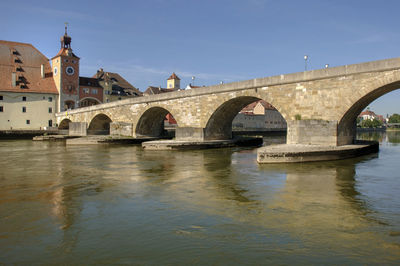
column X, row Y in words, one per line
column 220, row 40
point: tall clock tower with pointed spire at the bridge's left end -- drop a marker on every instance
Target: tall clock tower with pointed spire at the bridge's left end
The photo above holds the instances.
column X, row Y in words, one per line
column 65, row 67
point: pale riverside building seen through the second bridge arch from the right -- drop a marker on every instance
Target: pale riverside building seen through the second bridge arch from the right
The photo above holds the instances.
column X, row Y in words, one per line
column 259, row 115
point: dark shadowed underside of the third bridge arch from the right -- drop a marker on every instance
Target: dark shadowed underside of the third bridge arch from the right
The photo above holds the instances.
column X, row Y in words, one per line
column 151, row 123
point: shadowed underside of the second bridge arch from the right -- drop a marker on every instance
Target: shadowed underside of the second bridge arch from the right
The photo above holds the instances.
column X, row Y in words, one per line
column 219, row 126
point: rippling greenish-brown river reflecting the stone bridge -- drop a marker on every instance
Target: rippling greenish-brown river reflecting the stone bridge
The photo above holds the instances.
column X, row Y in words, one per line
column 122, row 205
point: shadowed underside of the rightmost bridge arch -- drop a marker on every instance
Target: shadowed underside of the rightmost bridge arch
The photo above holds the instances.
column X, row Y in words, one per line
column 347, row 125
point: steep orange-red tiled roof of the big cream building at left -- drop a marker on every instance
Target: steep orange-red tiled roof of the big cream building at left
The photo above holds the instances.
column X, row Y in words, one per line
column 25, row 61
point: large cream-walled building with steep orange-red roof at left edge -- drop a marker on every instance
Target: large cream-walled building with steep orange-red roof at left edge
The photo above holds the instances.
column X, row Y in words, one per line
column 28, row 93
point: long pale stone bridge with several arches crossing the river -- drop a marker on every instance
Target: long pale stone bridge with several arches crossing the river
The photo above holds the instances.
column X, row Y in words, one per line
column 319, row 106
